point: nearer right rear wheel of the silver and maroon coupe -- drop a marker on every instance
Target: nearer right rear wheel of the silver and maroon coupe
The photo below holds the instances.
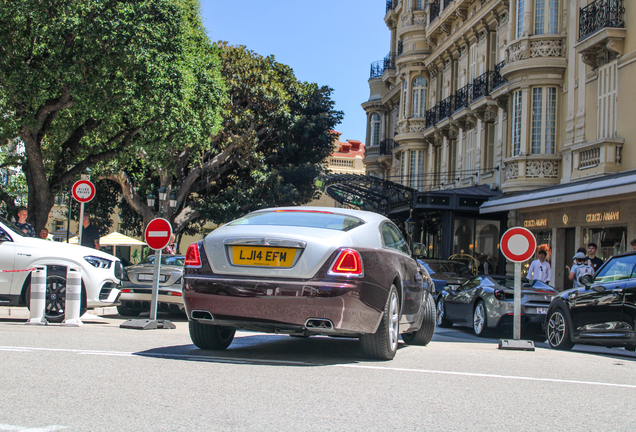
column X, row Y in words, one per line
column 382, row 345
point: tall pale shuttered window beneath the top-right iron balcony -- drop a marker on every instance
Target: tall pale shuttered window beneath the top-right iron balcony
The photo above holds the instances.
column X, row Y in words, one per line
column 606, row 109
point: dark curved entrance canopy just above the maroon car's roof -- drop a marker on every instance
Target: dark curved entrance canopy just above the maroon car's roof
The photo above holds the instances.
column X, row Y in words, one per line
column 367, row 192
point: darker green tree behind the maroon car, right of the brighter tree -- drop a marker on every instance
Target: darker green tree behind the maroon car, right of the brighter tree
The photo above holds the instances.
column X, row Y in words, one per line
column 276, row 134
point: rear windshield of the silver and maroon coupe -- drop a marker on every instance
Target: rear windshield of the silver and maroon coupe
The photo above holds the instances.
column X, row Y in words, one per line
column 300, row 218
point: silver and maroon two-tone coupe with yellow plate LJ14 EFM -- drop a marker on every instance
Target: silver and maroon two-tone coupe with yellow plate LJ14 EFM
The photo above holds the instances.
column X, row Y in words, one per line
column 306, row 271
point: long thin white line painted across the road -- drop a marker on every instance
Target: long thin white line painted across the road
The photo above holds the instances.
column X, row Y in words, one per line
column 232, row 360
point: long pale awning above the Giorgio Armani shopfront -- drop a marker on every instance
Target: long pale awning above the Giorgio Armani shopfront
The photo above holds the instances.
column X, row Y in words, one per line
column 604, row 187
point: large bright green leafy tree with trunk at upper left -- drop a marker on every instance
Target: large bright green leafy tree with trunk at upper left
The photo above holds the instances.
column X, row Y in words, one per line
column 82, row 82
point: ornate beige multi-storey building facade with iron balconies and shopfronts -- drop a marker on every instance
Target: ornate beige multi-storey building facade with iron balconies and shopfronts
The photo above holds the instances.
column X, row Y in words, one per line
column 530, row 98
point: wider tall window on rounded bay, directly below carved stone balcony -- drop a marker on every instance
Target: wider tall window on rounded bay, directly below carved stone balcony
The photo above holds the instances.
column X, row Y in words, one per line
column 543, row 112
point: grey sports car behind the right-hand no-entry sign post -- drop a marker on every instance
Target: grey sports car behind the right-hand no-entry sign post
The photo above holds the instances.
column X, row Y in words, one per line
column 487, row 302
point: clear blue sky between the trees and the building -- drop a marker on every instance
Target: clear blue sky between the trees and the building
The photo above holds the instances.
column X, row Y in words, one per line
column 329, row 42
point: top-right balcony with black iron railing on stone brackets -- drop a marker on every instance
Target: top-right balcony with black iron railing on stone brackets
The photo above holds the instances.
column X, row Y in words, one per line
column 601, row 32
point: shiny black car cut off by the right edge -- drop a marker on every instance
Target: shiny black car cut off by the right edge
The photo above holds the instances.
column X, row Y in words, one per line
column 602, row 312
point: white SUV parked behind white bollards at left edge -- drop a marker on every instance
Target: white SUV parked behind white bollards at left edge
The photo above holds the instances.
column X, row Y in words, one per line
column 101, row 272
